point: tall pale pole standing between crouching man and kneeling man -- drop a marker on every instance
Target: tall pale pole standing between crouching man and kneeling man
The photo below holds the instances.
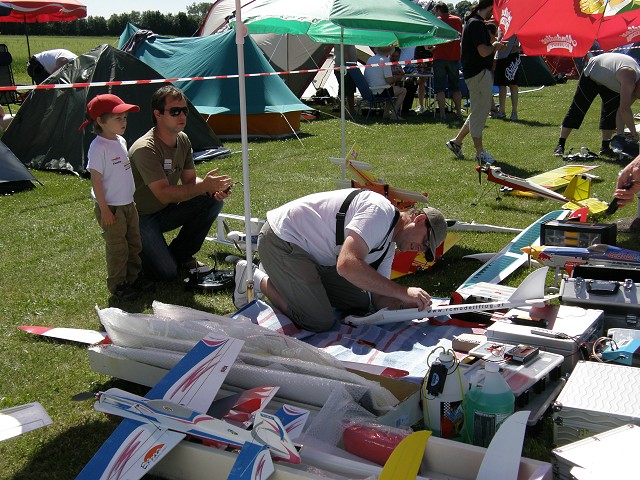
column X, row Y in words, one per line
column 241, row 32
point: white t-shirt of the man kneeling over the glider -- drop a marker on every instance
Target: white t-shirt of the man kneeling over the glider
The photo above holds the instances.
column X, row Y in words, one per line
column 310, row 223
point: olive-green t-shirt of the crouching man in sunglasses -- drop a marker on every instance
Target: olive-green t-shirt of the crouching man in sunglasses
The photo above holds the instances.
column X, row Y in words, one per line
column 153, row 160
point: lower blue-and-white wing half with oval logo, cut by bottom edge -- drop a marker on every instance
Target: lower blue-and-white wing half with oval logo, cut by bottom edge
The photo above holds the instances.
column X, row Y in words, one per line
column 130, row 452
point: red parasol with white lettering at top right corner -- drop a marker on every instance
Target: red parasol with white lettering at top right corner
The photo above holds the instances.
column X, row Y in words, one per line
column 568, row 28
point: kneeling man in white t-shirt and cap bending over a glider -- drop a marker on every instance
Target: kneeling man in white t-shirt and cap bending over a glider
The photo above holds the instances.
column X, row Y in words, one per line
column 333, row 250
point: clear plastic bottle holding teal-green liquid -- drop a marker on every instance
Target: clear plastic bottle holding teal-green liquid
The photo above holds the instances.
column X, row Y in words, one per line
column 487, row 406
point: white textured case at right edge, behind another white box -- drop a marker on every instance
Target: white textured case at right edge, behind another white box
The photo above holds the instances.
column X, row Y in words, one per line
column 597, row 397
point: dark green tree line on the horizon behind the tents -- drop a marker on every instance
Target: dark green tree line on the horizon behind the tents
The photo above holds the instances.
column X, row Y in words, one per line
column 182, row 24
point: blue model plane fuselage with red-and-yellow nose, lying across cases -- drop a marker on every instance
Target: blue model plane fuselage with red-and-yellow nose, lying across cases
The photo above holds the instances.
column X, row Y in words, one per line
column 598, row 254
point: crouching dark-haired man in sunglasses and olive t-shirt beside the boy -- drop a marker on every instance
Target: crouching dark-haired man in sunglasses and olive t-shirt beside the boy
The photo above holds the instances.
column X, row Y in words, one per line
column 169, row 195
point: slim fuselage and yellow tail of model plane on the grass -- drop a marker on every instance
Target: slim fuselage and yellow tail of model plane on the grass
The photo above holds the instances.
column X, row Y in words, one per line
column 576, row 195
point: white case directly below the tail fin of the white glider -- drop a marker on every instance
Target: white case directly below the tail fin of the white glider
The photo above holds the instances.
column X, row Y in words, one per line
column 567, row 327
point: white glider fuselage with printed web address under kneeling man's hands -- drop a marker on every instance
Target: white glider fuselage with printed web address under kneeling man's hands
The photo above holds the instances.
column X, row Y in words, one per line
column 530, row 291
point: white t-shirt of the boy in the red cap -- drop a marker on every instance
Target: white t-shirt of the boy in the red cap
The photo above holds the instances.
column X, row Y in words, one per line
column 111, row 160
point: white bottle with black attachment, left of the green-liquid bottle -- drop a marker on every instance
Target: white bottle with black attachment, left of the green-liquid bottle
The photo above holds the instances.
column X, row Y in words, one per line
column 443, row 391
